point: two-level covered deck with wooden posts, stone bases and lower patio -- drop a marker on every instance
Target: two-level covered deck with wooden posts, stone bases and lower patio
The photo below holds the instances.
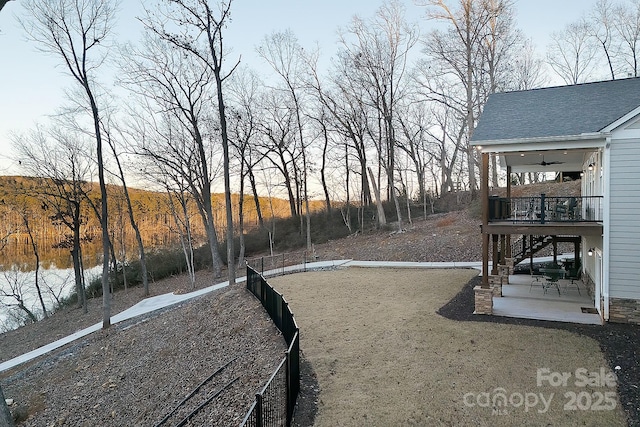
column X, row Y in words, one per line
column 516, row 228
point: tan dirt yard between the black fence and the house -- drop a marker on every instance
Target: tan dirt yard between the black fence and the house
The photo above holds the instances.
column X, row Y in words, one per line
column 382, row 356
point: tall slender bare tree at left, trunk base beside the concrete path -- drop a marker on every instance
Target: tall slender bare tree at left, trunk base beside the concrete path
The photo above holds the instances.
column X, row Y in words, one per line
column 75, row 30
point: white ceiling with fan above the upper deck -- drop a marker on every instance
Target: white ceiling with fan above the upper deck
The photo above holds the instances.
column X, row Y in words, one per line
column 545, row 161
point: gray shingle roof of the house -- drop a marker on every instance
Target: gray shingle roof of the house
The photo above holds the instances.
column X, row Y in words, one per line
column 557, row 111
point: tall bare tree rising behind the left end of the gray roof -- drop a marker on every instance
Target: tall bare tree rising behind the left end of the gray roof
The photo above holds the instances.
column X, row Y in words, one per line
column 464, row 60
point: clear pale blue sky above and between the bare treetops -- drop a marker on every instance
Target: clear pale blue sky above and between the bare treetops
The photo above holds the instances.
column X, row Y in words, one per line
column 32, row 84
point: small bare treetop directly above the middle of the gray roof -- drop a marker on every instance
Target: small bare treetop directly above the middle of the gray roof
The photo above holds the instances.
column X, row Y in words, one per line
column 571, row 54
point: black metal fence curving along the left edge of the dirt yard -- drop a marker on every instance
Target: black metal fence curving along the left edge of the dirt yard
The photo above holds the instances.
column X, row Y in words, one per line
column 274, row 404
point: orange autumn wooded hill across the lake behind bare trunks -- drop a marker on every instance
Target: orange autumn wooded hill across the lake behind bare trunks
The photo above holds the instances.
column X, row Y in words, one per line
column 35, row 204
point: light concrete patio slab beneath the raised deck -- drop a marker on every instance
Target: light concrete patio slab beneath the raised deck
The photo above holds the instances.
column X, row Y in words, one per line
column 521, row 299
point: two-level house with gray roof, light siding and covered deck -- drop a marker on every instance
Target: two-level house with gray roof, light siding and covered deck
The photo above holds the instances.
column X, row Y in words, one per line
column 590, row 129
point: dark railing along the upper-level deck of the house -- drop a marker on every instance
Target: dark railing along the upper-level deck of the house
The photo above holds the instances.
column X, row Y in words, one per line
column 542, row 209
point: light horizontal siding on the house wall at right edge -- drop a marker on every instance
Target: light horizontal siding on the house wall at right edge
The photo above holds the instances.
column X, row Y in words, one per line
column 624, row 237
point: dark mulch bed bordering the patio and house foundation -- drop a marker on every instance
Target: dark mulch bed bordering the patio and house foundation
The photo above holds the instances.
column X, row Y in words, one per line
column 620, row 343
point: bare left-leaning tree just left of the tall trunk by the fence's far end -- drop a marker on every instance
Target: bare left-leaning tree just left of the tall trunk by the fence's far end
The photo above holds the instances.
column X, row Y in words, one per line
column 175, row 91
